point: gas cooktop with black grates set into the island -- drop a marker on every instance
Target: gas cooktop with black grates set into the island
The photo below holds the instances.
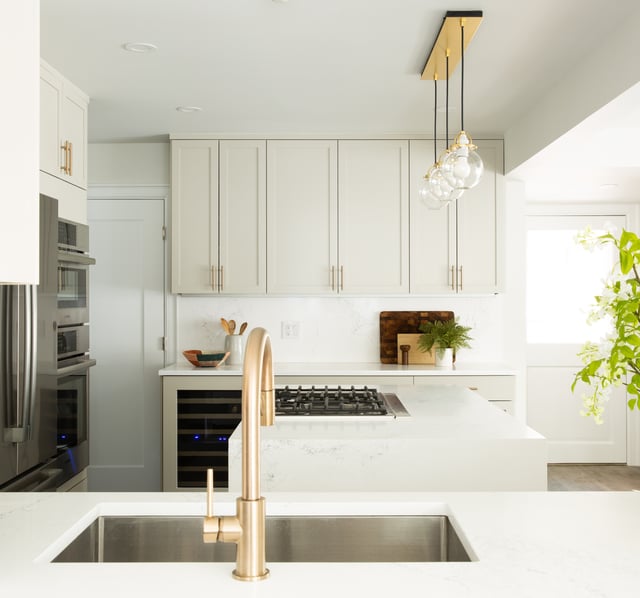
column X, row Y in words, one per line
column 325, row 400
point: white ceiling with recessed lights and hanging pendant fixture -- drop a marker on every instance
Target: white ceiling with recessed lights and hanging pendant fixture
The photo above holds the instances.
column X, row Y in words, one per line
column 347, row 67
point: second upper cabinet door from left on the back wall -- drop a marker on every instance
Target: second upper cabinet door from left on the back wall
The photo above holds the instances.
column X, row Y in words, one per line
column 242, row 212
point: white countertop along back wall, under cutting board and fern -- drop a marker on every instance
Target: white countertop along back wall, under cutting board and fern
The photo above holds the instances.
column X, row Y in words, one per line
column 184, row 368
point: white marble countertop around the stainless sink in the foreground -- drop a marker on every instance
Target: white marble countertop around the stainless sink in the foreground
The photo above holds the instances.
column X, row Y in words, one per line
column 551, row 544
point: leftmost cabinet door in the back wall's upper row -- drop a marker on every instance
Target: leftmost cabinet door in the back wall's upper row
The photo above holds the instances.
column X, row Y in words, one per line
column 194, row 216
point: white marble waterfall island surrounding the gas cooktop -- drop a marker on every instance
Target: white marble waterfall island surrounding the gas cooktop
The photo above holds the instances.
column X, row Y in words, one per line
column 452, row 439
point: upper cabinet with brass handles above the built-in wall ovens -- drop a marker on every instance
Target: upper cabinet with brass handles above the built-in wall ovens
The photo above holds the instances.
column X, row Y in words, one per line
column 63, row 143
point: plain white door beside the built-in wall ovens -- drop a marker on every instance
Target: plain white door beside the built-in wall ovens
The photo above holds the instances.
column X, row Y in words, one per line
column 127, row 328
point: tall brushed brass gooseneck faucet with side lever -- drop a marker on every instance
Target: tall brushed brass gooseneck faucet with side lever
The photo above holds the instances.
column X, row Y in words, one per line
column 247, row 527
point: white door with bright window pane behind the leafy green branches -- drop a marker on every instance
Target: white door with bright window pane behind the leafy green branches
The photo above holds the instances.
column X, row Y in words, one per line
column 562, row 280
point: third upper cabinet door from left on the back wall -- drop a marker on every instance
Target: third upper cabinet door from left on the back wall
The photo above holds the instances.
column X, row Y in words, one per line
column 302, row 217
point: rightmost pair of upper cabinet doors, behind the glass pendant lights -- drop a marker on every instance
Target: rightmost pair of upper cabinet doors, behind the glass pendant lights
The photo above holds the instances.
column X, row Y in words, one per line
column 455, row 249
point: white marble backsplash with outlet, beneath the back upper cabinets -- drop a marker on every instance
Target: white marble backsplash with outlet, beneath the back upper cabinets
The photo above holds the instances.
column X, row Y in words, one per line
column 334, row 329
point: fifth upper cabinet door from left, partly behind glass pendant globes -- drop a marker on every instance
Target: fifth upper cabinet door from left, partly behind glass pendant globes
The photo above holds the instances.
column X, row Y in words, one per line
column 433, row 232
